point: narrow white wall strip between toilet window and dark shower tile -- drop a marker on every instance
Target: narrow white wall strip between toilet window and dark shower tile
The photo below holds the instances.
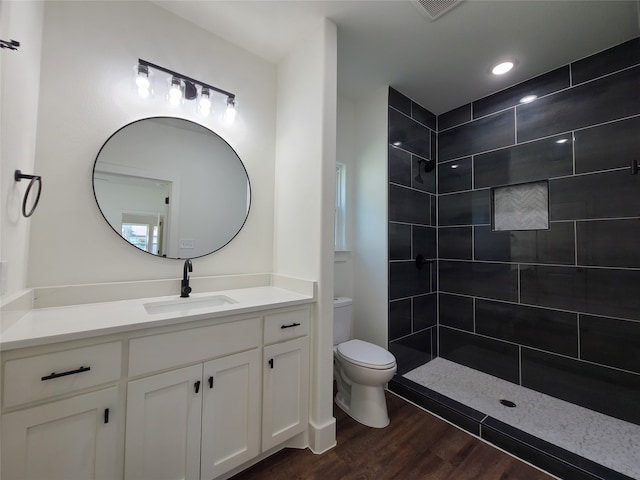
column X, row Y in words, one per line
column 370, row 239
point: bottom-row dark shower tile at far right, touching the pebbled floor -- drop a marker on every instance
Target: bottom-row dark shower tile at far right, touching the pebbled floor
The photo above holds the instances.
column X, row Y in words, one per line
column 602, row 389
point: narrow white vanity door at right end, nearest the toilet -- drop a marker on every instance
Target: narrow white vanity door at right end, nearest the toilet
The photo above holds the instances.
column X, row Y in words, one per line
column 285, row 408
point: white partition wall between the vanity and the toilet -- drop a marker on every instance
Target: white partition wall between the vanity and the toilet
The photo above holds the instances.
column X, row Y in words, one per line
column 305, row 192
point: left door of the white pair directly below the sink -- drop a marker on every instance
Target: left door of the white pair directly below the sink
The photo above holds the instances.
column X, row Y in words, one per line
column 163, row 426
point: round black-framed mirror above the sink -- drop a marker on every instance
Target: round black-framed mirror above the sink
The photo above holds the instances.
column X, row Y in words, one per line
column 171, row 187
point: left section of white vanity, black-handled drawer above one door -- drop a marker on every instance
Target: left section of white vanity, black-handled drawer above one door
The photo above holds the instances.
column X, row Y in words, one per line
column 56, row 435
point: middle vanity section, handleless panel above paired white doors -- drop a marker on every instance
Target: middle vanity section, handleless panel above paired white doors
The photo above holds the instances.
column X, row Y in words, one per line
column 199, row 421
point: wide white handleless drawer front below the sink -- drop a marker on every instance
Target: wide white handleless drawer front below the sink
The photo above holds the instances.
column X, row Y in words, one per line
column 170, row 350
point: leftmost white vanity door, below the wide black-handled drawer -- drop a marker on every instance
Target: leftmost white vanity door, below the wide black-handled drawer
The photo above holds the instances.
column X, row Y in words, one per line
column 73, row 438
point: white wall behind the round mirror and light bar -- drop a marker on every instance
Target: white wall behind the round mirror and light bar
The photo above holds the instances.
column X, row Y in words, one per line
column 88, row 56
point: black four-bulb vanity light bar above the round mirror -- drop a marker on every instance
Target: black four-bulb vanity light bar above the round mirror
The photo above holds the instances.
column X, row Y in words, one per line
column 182, row 88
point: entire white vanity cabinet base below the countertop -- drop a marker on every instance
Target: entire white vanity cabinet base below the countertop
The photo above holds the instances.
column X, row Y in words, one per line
column 186, row 399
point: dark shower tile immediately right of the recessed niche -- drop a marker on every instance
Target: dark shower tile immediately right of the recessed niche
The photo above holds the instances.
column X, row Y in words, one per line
column 600, row 195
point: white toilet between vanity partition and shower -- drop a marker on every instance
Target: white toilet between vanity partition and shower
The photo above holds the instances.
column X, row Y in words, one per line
column 360, row 369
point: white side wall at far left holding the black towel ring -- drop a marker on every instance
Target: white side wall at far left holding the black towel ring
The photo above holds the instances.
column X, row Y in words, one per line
column 19, row 86
